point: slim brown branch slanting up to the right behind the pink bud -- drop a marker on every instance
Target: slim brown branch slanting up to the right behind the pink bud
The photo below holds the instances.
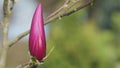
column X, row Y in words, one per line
column 52, row 17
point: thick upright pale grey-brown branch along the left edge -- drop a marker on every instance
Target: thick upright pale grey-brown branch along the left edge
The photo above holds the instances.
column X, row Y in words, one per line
column 5, row 26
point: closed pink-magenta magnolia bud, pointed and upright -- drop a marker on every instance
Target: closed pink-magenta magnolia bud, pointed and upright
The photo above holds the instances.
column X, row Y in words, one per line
column 37, row 42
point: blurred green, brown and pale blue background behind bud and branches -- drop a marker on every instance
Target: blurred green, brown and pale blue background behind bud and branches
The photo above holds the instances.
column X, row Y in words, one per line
column 89, row 38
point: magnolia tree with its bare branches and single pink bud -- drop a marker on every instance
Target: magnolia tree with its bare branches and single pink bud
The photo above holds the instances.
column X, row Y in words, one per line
column 37, row 42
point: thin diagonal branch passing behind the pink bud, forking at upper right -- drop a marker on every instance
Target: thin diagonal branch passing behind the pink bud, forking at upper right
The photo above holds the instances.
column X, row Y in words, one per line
column 55, row 15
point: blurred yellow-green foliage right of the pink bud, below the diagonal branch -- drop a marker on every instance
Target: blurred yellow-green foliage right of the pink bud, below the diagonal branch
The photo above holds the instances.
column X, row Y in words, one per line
column 80, row 41
